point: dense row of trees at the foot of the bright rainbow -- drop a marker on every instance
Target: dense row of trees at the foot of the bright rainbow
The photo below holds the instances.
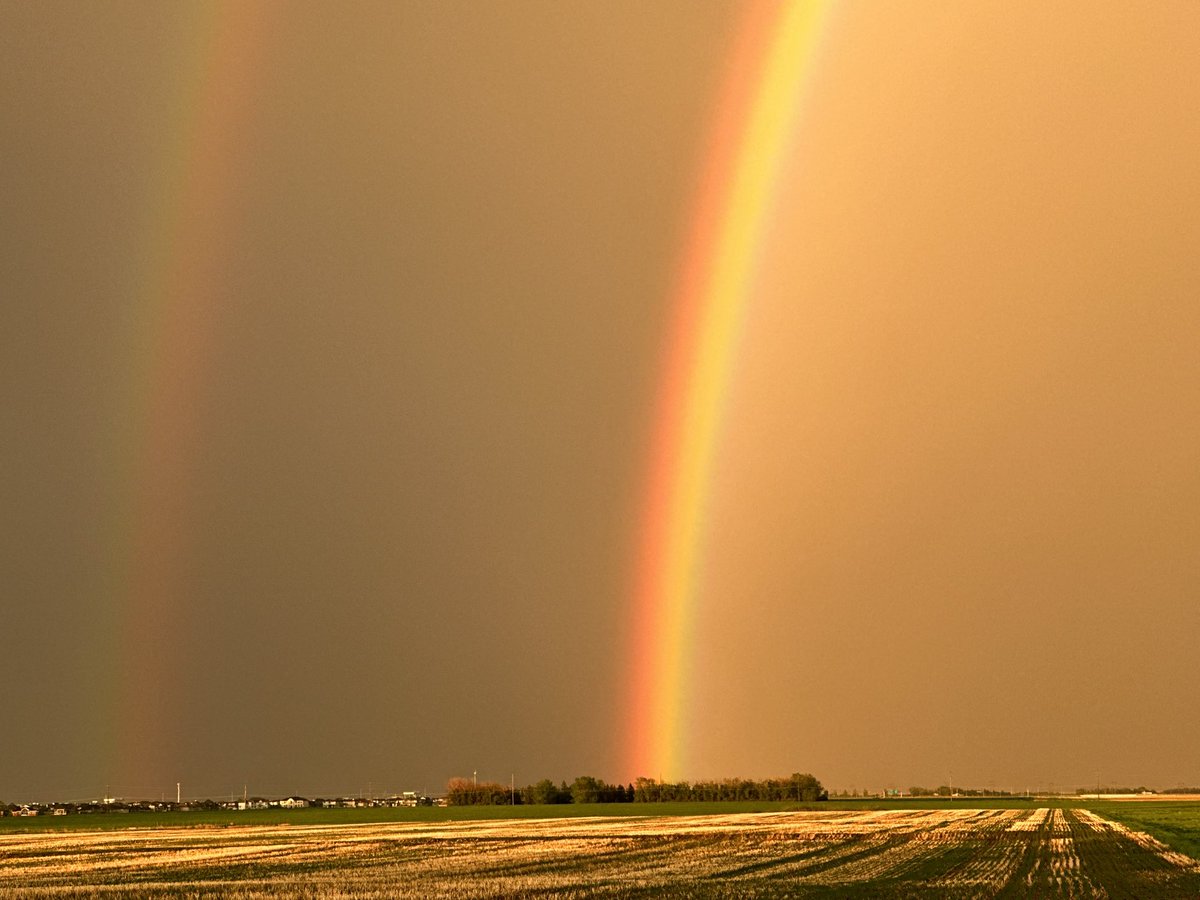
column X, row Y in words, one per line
column 801, row 788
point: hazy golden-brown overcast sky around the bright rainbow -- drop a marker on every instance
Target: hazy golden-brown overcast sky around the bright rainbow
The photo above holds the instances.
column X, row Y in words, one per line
column 331, row 346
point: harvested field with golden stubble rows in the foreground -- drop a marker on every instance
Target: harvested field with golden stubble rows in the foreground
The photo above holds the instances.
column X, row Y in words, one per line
column 899, row 854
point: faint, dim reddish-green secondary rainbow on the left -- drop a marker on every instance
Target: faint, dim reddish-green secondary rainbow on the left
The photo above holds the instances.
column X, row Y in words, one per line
column 176, row 298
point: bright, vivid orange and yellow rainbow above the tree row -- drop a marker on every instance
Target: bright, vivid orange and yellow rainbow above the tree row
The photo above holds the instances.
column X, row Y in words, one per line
column 755, row 125
